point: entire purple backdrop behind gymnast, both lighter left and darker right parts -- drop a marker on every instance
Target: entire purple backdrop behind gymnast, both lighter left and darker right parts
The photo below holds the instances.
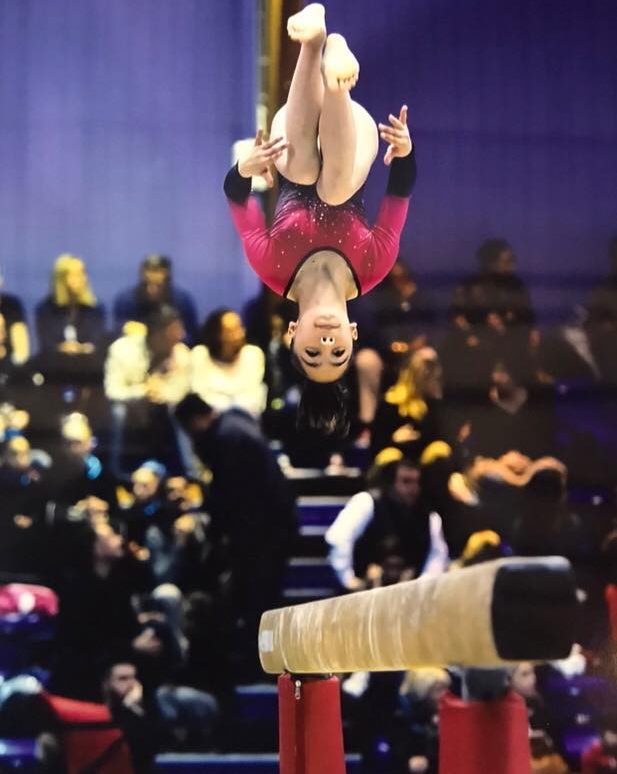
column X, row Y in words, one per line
column 116, row 120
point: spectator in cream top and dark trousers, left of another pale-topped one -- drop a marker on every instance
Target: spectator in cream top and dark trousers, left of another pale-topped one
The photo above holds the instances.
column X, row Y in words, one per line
column 146, row 374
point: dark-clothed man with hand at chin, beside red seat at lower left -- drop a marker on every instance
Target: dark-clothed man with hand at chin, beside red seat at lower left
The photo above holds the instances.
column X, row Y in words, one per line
column 123, row 694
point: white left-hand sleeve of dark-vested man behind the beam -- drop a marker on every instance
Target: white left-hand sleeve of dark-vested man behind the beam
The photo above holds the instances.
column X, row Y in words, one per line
column 348, row 526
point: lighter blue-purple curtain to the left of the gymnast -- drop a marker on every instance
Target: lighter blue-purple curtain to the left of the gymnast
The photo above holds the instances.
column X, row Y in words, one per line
column 116, row 123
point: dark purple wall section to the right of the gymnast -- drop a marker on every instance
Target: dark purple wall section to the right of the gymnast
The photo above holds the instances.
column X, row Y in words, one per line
column 514, row 111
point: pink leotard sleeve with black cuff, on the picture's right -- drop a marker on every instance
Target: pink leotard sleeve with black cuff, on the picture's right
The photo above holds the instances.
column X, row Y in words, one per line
column 392, row 216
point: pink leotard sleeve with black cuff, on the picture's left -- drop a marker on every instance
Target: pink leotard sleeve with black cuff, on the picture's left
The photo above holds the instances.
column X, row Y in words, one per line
column 247, row 216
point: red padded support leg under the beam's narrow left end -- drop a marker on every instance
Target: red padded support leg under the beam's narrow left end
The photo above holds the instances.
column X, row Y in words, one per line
column 310, row 726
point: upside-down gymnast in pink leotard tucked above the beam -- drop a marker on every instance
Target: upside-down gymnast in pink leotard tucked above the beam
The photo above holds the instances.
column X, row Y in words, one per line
column 320, row 250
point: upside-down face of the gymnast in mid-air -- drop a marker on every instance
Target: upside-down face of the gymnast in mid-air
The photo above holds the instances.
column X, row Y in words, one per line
column 323, row 343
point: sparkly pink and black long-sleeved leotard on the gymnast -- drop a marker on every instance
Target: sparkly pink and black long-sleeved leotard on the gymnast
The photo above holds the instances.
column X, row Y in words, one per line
column 303, row 224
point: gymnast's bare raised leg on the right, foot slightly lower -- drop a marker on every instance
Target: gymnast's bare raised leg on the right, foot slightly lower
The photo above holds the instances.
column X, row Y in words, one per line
column 347, row 133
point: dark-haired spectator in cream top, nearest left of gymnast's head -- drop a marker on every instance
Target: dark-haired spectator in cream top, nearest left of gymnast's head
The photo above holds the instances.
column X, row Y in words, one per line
column 226, row 371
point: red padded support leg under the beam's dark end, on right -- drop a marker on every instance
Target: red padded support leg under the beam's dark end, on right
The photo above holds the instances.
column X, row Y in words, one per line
column 484, row 736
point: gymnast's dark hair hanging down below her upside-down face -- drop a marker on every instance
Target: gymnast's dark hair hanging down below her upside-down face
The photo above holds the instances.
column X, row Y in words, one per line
column 323, row 407
